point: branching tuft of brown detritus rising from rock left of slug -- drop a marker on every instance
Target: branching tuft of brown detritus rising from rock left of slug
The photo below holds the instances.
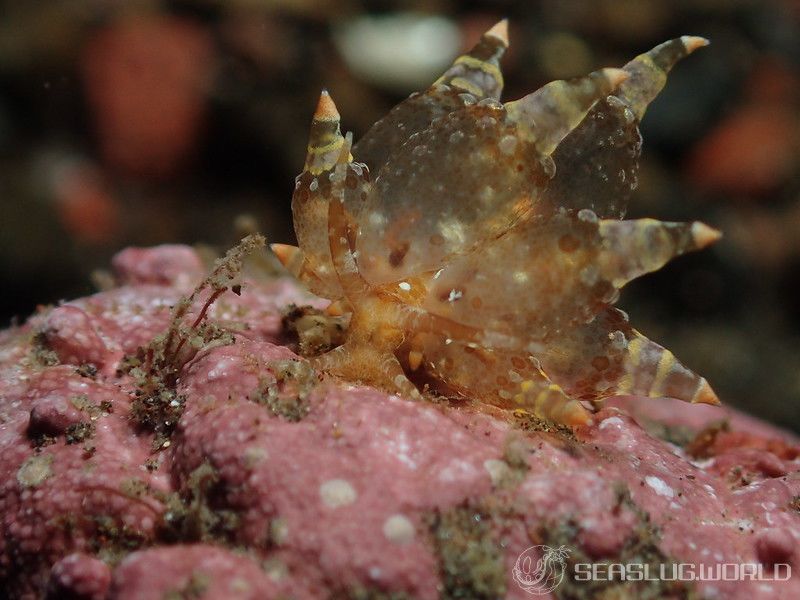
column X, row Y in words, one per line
column 157, row 406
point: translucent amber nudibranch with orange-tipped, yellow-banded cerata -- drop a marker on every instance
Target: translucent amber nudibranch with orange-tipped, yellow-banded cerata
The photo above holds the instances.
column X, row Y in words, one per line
column 480, row 243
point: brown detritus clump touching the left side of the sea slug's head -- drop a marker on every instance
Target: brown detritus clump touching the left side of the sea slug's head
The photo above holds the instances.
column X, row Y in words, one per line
column 312, row 330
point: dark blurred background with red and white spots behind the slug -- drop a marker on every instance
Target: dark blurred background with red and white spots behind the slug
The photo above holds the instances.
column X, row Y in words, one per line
column 146, row 122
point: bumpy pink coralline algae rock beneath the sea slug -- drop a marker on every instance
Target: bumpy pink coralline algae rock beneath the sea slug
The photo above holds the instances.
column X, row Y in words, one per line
column 250, row 475
